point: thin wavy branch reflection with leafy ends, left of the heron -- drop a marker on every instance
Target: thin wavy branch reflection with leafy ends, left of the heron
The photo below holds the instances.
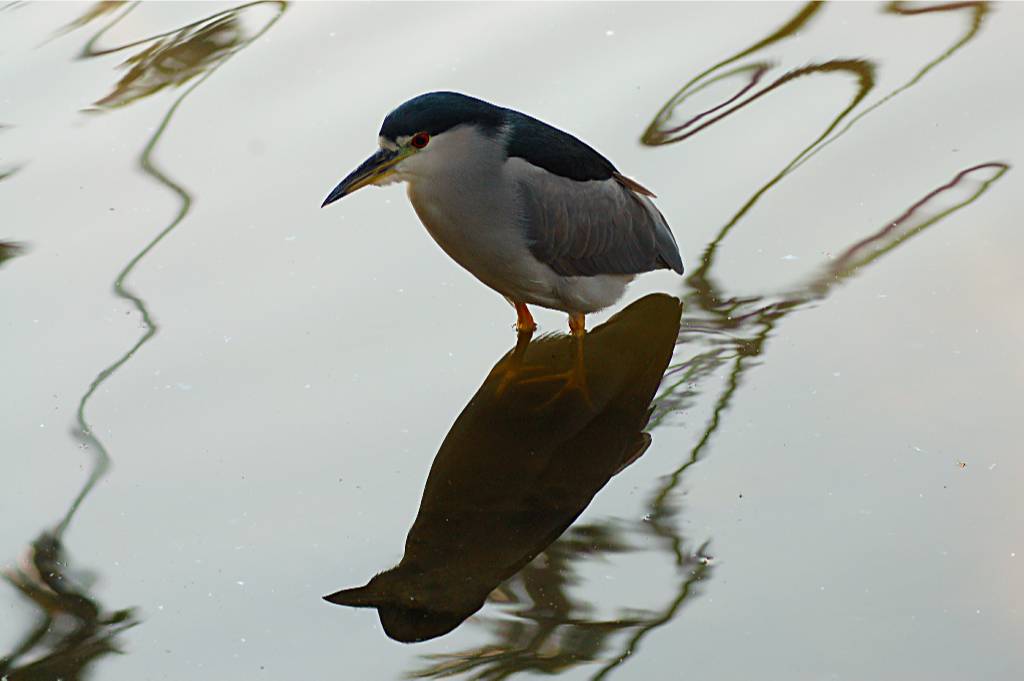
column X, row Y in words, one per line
column 73, row 630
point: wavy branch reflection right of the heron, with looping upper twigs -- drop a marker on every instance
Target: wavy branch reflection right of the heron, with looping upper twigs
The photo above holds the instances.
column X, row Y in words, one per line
column 723, row 335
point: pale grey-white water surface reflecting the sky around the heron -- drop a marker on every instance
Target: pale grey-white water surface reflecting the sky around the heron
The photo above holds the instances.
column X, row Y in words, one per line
column 261, row 294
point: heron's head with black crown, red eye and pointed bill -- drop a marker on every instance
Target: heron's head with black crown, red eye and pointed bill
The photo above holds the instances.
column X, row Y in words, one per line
column 425, row 133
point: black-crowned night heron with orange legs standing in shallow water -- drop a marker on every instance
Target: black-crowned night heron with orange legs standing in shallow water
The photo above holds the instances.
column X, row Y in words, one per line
column 532, row 211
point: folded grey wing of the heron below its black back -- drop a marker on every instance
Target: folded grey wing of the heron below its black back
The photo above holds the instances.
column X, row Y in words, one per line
column 583, row 229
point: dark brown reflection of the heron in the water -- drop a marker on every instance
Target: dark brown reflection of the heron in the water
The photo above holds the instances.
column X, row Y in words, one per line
column 519, row 467
